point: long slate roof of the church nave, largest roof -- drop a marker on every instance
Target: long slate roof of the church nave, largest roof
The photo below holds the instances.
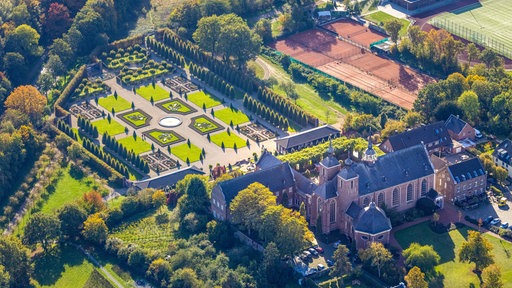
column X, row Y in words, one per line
column 391, row 169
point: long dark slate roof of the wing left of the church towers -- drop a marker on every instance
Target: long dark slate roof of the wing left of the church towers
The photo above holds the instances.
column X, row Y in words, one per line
column 275, row 179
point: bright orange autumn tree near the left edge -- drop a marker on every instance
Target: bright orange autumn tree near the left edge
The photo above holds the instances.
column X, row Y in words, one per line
column 27, row 100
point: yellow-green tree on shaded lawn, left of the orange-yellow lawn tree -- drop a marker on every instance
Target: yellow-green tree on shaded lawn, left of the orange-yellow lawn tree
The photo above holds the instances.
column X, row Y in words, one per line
column 424, row 257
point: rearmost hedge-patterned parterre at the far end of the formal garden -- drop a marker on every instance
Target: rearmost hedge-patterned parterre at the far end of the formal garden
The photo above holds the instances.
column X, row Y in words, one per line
column 117, row 59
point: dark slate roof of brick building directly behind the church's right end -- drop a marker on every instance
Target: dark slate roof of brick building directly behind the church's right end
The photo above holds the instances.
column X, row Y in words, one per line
column 426, row 134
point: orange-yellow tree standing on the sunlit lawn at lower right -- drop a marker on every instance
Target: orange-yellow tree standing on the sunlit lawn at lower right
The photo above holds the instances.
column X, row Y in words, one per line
column 477, row 250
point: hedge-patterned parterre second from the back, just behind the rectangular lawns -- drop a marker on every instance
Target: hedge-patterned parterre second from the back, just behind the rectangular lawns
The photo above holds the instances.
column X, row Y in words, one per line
column 150, row 70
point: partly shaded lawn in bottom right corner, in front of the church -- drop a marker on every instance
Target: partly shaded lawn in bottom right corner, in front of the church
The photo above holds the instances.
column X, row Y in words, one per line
column 456, row 274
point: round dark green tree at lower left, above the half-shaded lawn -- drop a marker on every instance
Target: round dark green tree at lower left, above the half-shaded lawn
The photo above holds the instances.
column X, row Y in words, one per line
column 42, row 228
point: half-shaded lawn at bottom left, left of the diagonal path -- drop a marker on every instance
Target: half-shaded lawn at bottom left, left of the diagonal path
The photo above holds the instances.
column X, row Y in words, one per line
column 69, row 268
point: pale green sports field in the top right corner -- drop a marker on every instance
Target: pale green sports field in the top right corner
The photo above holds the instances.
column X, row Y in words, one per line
column 486, row 23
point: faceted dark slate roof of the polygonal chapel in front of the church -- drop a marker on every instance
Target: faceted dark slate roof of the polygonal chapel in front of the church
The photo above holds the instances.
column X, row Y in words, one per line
column 372, row 220
